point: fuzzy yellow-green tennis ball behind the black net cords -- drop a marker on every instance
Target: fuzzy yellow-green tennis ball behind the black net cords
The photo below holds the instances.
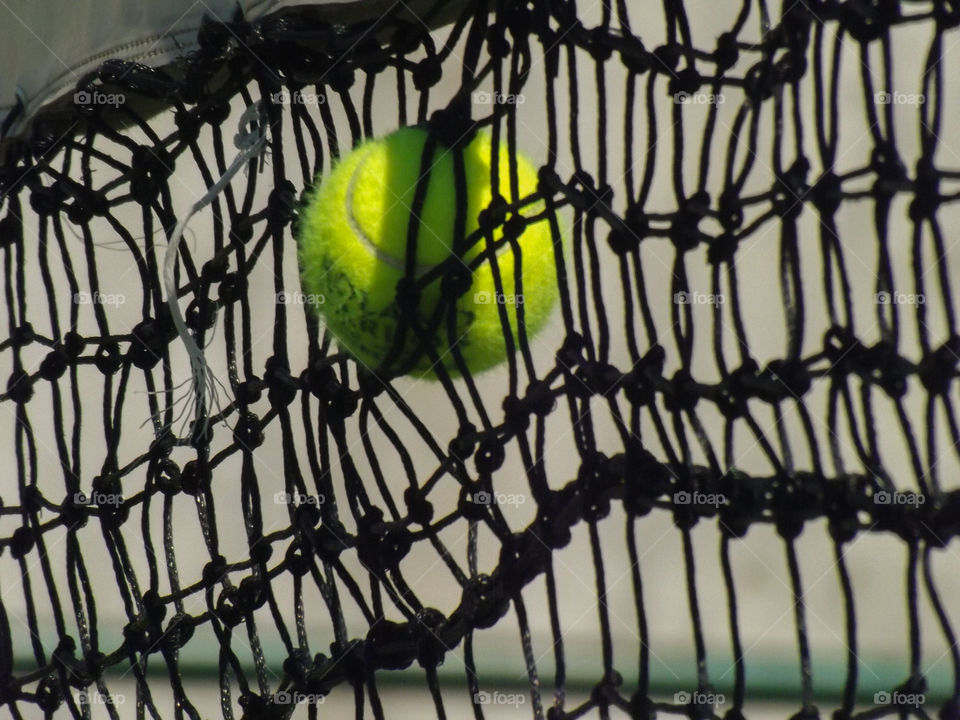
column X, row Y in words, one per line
column 352, row 243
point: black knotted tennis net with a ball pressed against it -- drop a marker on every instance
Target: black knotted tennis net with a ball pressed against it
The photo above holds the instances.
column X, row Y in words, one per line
column 136, row 527
